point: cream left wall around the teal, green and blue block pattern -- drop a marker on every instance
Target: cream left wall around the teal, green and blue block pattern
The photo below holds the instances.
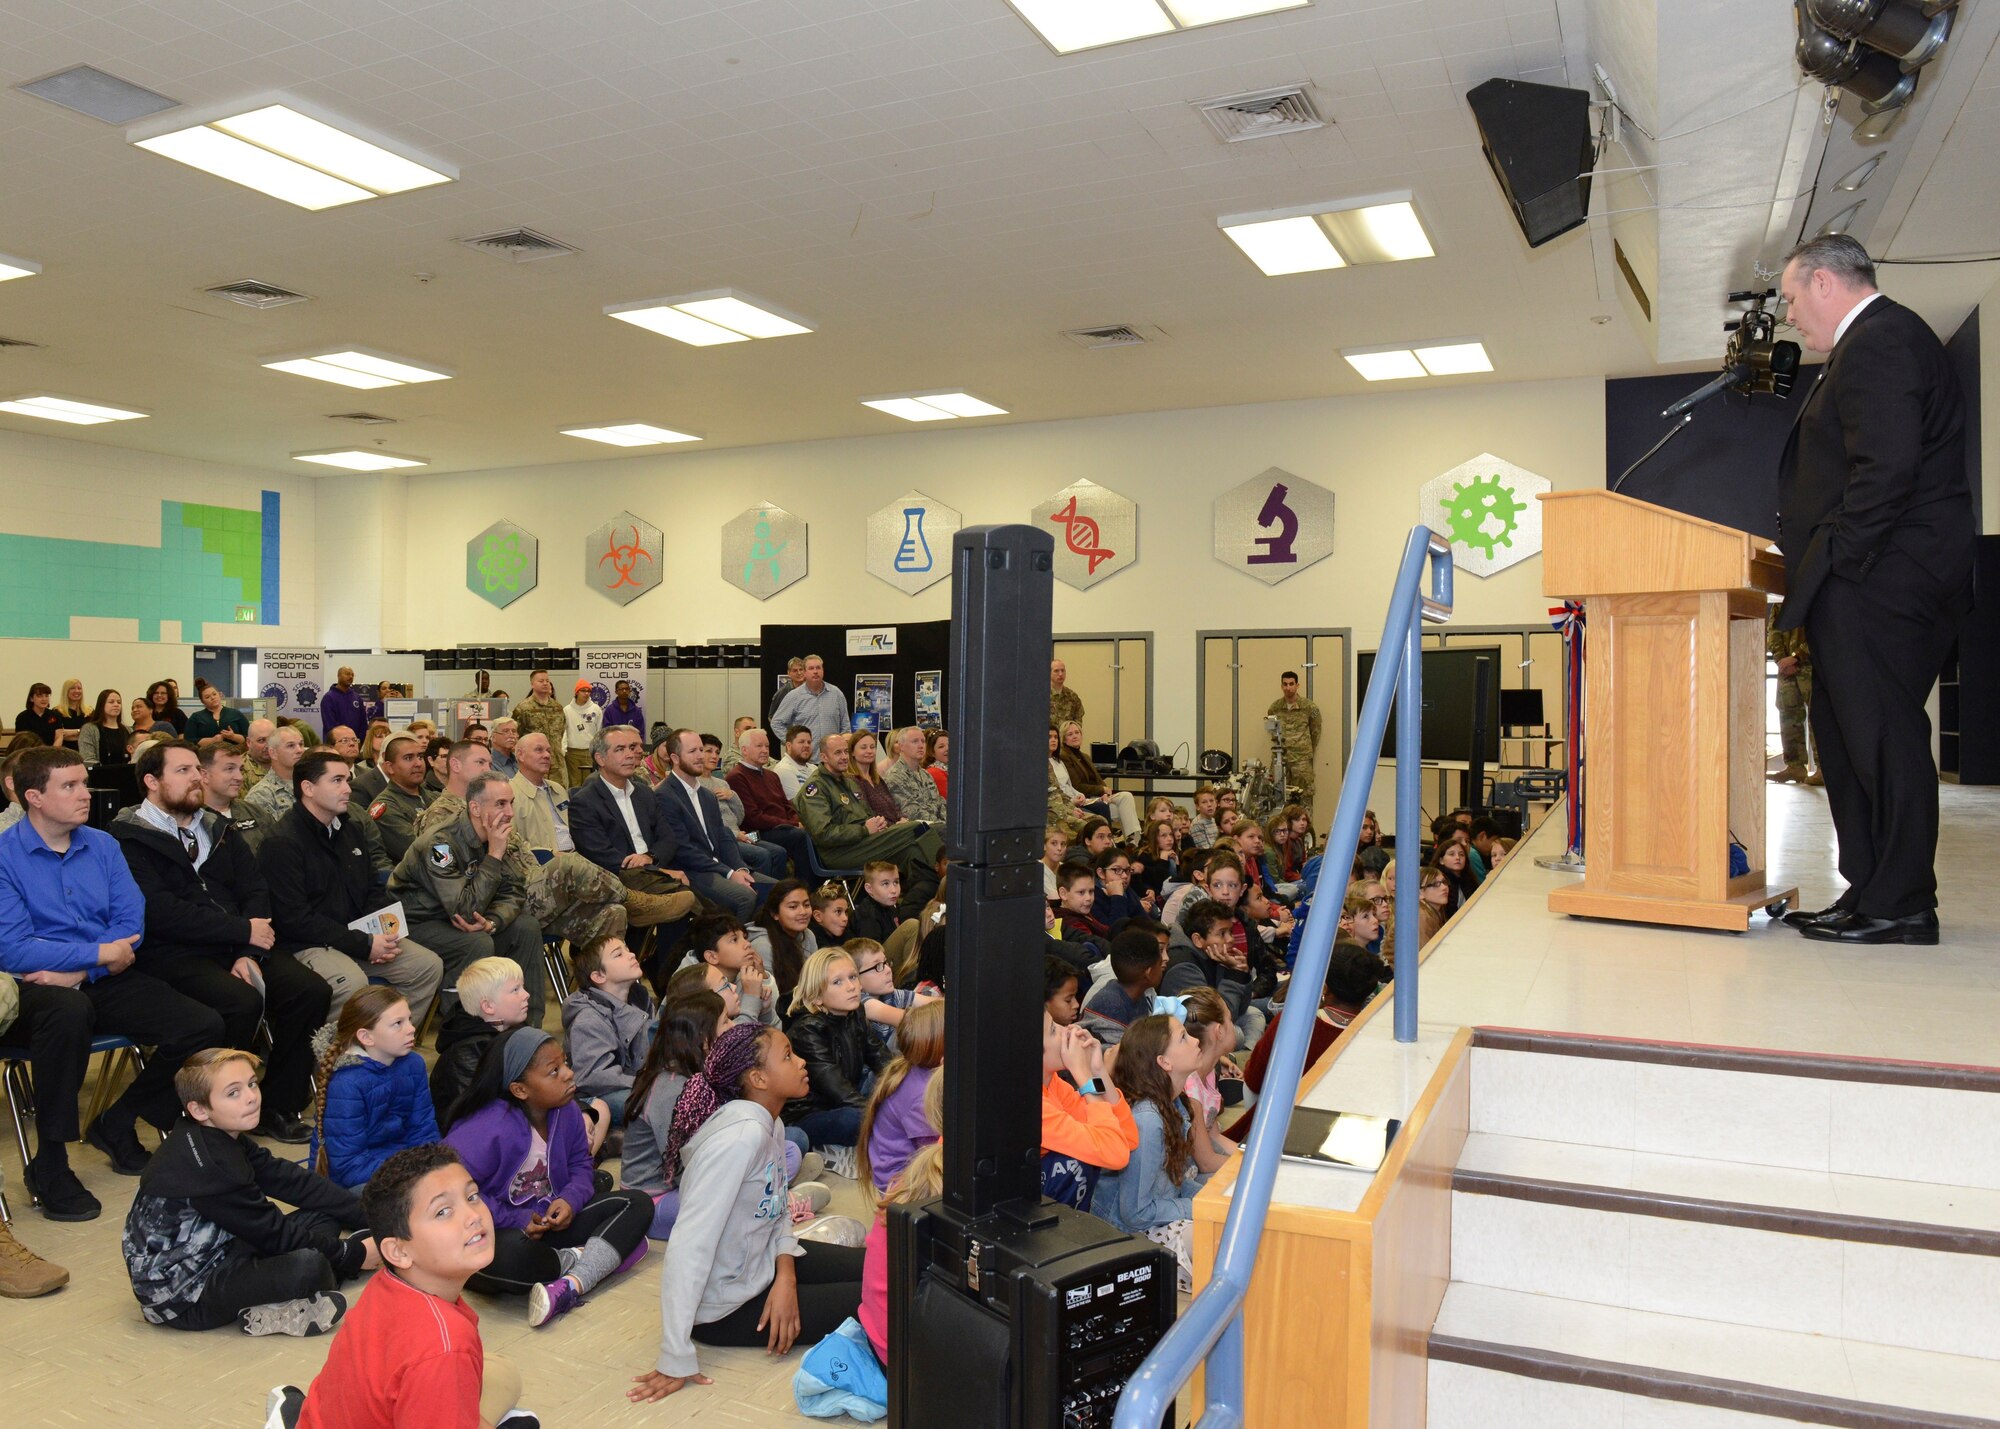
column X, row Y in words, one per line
column 85, row 491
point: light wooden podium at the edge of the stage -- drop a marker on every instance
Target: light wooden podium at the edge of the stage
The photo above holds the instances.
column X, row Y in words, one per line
column 1675, row 707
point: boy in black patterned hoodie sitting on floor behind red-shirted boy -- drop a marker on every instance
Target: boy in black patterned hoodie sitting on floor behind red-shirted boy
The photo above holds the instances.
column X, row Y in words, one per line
column 203, row 1242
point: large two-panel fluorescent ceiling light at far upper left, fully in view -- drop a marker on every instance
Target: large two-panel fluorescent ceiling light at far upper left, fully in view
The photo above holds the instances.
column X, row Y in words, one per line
column 293, row 157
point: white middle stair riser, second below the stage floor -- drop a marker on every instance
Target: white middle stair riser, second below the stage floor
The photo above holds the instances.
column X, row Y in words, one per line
column 1885, row 1294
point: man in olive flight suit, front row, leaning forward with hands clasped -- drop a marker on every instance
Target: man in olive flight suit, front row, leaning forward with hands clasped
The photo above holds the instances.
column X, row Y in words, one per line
column 465, row 900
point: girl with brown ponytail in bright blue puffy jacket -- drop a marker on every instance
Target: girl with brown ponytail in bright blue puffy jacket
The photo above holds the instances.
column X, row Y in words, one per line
column 375, row 1094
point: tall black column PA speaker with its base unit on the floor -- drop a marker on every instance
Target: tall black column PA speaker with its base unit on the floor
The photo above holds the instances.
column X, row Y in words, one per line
column 1007, row 1312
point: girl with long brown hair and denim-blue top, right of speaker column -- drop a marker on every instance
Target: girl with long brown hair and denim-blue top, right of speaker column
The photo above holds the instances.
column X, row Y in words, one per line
column 1153, row 1194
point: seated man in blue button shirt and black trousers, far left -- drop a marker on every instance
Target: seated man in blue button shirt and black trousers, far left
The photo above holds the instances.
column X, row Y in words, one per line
column 71, row 922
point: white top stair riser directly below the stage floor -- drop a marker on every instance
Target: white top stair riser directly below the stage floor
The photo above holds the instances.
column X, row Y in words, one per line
column 1813, row 1124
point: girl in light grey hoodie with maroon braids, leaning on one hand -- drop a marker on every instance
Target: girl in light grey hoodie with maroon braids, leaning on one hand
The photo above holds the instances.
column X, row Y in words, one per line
column 735, row 1272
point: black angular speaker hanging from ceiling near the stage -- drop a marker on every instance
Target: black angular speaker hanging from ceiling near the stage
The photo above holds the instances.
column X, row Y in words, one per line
column 1537, row 137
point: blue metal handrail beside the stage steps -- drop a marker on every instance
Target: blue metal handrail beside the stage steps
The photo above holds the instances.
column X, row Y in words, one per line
column 1213, row 1328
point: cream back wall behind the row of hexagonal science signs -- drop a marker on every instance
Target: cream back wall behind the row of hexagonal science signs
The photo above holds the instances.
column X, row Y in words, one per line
column 1373, row 451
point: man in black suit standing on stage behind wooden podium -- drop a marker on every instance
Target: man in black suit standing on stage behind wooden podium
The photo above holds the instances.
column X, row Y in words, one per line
column 1875, row 515
